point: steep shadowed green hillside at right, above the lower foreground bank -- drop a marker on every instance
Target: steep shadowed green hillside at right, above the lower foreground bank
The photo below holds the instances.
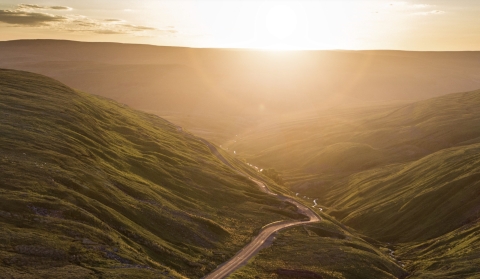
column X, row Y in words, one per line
column 417, row 201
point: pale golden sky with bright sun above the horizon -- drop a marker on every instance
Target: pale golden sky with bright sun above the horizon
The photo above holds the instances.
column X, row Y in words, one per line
column 310, row 24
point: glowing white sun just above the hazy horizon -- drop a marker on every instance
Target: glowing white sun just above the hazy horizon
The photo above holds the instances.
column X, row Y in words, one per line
column 281, row 21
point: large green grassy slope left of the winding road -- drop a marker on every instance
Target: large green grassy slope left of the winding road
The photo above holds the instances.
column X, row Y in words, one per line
column 91, row 188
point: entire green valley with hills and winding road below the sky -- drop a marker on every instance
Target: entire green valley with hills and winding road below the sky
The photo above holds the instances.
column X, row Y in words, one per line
column 178, row 167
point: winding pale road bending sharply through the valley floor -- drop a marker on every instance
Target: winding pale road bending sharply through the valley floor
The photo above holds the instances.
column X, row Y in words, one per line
column 244, row 255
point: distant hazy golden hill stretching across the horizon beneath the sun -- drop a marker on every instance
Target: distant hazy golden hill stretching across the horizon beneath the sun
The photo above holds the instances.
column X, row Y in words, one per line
column 218, row 93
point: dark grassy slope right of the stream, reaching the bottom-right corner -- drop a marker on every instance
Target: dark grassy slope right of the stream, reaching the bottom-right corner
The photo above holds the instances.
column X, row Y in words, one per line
column 429, row 207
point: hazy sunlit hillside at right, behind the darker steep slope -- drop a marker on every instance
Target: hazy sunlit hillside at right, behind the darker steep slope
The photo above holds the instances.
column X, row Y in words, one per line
column 347, row 141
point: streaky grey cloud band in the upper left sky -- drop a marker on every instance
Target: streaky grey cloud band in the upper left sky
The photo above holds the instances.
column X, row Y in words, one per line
column 32, row 15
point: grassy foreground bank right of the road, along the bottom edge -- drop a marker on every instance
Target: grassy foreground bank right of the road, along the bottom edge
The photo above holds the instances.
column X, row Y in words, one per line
column 331, row 250
